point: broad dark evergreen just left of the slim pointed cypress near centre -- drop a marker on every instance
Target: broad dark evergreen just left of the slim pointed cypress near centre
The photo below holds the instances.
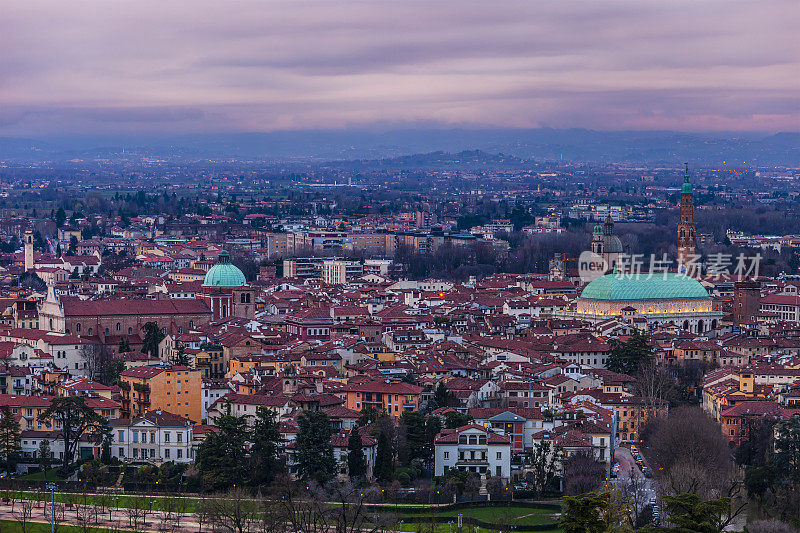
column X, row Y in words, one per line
column 314, row 449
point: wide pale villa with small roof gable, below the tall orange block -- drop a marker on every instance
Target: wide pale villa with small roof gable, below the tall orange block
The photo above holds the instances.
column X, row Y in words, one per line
column 155, row 437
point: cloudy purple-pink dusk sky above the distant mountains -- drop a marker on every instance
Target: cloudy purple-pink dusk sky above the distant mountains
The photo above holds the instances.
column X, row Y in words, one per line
column 97, row 66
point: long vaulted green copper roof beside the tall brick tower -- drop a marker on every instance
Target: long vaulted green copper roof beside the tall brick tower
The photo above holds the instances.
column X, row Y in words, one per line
column 621, row 288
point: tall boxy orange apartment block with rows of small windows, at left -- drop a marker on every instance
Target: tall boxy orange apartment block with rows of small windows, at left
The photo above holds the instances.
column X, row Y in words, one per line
column 175, row 389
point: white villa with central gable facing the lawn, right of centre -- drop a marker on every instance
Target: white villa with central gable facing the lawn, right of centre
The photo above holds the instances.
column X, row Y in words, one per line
column 475, row 449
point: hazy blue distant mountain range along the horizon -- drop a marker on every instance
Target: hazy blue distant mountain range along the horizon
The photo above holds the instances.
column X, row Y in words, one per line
column 643, row 147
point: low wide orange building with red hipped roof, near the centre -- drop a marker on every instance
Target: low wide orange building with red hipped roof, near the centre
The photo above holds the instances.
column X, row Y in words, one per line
column 393, row 397
